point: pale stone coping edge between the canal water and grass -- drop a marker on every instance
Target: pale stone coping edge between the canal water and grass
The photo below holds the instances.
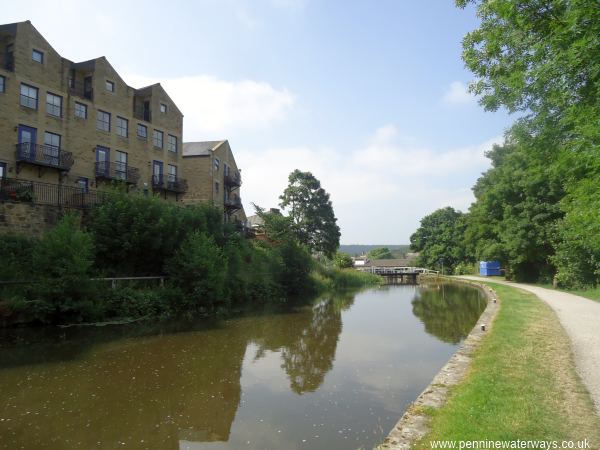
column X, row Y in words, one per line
column 413, row 424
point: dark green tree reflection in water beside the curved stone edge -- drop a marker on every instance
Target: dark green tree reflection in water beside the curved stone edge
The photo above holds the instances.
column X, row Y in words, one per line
column 448, row 311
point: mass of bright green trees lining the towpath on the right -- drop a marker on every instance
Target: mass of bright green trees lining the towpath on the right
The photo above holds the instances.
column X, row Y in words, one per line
column 536, row 209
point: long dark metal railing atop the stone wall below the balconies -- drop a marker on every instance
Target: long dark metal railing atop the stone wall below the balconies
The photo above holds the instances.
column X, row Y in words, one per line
column 14, row 190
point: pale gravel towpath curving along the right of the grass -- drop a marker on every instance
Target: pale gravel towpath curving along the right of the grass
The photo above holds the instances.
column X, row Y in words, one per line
column 580, row 317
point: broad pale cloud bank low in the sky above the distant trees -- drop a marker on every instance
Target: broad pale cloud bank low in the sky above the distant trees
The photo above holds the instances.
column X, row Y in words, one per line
column 391, row 181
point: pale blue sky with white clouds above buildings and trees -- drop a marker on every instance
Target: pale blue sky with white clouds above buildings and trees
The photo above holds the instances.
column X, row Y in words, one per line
column 369, row 96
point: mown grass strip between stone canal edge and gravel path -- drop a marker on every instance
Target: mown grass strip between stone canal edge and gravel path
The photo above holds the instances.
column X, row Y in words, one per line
column 522, row 383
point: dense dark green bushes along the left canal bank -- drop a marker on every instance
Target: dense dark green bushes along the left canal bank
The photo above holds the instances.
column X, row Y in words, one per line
column 208, row 266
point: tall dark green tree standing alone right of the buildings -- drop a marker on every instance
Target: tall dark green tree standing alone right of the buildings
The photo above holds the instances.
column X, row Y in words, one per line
column 311, row 213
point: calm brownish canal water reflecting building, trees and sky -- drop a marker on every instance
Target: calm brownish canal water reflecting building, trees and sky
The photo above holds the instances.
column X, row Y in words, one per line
column 335, row 374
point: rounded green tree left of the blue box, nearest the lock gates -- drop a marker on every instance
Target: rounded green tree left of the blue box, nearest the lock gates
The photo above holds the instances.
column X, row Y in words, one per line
column 439, row 239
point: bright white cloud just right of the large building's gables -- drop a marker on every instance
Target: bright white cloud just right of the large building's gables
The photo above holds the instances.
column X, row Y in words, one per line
column 215, row 108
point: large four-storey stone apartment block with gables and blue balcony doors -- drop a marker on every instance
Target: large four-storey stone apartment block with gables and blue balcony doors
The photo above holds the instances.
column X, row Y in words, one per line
column 79, row 125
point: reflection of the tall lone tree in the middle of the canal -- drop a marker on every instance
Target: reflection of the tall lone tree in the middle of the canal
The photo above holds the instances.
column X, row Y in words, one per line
column 307, row 341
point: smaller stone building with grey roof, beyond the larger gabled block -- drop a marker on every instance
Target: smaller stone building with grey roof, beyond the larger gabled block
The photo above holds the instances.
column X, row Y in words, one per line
column 214, row 177
